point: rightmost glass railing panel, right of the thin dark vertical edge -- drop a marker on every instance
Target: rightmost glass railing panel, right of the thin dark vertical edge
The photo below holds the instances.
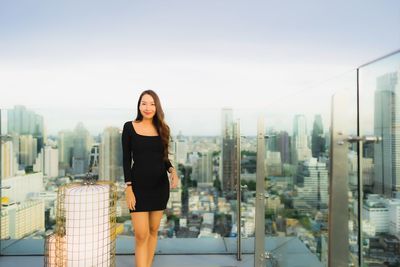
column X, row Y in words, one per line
column 380, row 117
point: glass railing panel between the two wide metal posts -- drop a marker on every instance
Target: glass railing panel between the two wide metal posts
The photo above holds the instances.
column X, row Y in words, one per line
column 298, row 162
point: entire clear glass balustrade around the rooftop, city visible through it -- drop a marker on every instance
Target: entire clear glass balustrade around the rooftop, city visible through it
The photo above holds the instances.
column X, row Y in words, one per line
column 331, row 173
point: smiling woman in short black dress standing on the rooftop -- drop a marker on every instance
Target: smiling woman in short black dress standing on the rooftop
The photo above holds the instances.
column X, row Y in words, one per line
column 145, row 141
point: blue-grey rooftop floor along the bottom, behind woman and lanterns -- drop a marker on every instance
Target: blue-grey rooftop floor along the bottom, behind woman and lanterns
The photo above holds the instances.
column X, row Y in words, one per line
column 288, row 252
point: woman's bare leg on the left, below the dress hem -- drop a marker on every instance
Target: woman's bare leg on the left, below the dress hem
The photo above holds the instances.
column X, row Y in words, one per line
column 140, row 222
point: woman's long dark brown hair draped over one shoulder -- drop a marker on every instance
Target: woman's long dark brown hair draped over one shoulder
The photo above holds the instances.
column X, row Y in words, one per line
column 158, row 120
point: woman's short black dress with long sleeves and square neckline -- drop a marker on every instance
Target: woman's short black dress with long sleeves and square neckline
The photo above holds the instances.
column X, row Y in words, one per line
column 148, row 173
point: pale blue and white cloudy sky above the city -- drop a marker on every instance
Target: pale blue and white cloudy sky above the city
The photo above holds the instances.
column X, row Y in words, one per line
column 275, row 58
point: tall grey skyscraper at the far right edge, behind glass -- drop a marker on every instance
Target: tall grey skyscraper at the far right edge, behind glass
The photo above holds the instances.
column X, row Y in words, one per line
column 387, row 126
